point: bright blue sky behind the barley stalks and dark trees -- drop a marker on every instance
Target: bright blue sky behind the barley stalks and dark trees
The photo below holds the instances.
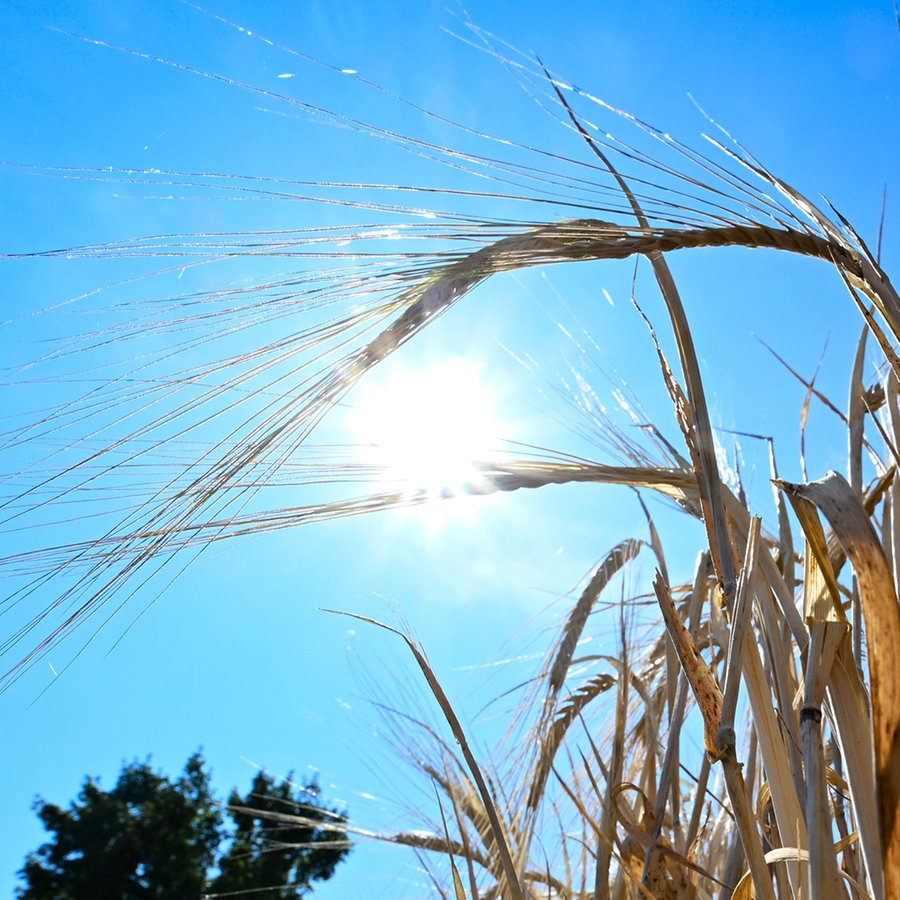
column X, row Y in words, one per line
column 236, row 655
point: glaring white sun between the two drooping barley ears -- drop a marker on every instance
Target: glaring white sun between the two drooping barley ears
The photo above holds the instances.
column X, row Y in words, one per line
column 427, row 429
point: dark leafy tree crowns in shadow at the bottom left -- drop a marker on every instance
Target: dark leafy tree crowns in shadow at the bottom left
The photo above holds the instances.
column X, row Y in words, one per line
column 151, row 837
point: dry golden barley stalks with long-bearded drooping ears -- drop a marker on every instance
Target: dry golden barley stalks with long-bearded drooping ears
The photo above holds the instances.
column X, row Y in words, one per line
column 607, row 794
